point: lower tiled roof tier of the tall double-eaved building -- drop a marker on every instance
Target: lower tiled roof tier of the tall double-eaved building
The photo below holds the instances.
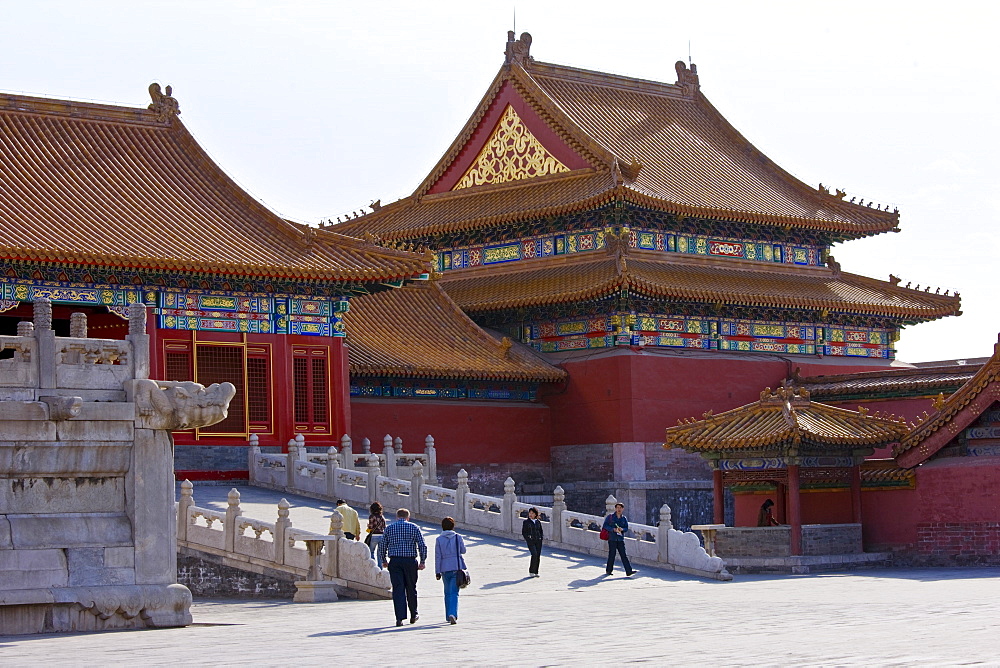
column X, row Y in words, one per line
column 585, row 276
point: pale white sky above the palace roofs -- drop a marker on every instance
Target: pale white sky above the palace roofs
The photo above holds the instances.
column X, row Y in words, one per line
column 317, row 108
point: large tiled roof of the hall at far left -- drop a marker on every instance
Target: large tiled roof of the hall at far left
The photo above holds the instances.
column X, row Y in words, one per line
column 98, row 184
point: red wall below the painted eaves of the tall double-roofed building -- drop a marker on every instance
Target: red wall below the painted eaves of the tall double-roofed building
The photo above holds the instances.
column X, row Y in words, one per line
column 634, row 396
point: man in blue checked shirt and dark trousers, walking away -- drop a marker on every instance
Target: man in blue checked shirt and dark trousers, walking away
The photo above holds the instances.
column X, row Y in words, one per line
column 402, row 544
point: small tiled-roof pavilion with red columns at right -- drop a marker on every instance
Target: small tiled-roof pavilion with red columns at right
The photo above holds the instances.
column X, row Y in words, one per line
column 791, row 442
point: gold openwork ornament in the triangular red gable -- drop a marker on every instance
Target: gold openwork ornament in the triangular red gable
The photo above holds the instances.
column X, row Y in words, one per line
column 512, row 153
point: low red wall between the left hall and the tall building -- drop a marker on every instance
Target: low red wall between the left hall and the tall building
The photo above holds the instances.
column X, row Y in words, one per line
column 465, row 432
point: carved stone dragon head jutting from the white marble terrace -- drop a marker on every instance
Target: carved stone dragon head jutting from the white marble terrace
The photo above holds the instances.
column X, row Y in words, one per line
column 173, row 405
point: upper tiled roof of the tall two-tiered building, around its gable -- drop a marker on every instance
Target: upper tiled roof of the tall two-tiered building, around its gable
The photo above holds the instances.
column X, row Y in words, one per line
column 658, row 145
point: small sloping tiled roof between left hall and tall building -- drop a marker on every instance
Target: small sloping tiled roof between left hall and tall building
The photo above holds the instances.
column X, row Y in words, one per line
column 417, row 331
